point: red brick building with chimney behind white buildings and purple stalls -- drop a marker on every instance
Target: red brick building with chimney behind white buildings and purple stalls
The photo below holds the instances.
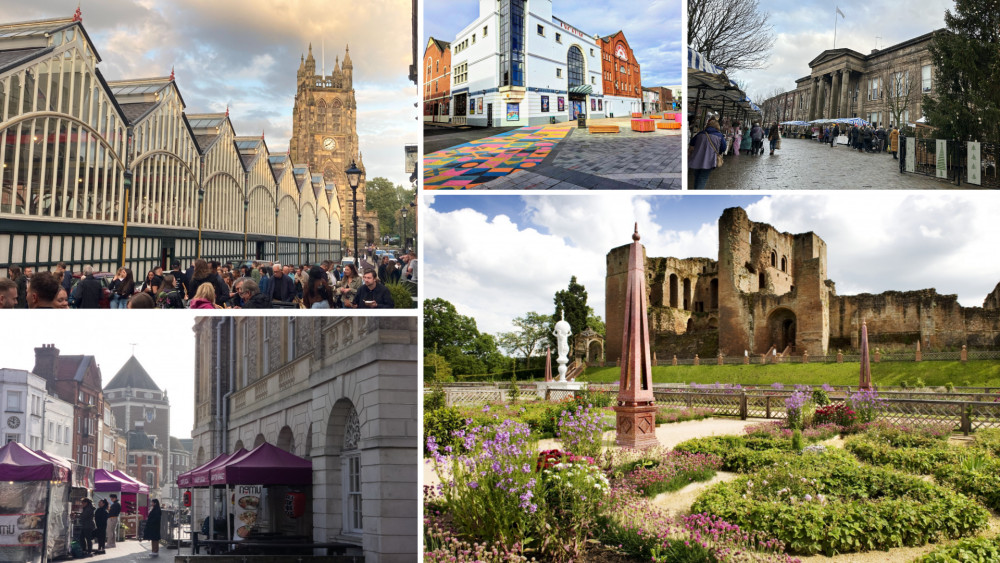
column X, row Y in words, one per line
column 76, row 380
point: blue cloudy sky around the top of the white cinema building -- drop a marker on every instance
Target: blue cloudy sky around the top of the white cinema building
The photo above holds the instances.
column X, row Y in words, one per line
column 653, row 29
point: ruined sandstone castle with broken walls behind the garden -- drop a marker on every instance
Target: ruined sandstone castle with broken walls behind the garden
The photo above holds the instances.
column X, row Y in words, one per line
column 769, row 290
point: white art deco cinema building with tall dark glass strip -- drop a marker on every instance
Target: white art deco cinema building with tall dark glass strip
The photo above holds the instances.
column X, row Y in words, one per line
column 518, row 65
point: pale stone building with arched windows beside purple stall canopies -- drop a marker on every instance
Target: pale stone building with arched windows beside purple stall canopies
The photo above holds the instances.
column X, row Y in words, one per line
column 341, row 392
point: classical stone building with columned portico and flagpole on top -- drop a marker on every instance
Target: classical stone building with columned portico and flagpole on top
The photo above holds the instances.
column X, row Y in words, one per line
column 886, row 86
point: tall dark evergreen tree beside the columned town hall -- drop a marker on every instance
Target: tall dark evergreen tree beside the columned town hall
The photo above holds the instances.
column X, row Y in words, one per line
column 967, row 74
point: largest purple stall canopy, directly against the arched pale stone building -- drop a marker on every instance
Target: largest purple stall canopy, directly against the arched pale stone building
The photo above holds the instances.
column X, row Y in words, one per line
column 264, row 465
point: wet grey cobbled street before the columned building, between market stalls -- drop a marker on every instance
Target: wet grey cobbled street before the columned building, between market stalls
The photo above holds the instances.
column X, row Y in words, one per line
column 803, row 164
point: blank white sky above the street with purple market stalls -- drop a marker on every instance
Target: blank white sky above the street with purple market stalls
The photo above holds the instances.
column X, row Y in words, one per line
column 164, row 345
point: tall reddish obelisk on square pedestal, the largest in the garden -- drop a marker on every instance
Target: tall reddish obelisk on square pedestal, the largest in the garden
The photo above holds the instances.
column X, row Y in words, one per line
column 635, row 413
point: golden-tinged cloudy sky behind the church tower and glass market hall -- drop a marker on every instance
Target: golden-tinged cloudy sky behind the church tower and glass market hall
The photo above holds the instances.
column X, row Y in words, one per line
column 245, row 54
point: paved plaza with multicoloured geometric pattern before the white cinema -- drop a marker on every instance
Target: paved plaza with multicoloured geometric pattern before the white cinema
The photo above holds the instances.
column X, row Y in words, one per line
column 578, row 160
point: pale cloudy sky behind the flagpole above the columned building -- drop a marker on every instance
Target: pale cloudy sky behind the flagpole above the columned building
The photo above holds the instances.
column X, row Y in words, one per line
column 804, row 29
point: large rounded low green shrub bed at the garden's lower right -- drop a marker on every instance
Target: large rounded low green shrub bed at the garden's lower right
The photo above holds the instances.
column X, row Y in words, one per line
column 828, row 504
